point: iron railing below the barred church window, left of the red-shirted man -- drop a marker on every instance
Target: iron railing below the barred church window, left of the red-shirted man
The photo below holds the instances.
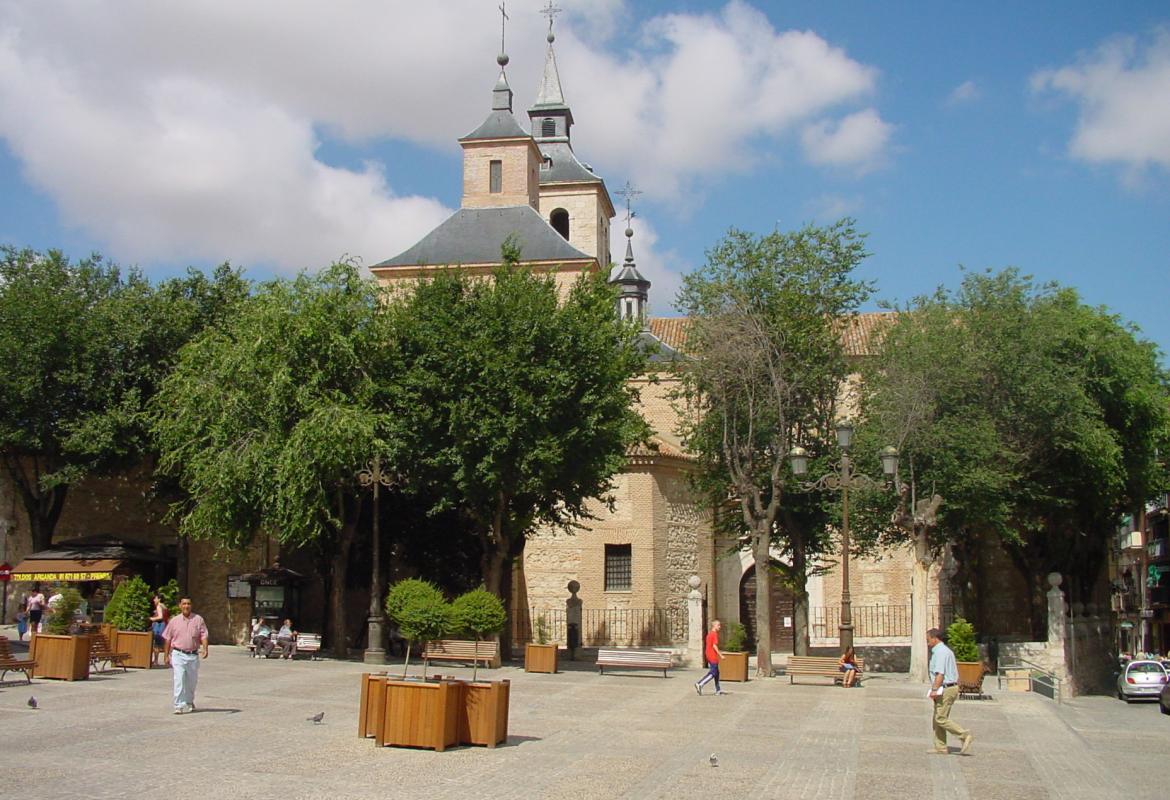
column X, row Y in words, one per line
column 605, row 627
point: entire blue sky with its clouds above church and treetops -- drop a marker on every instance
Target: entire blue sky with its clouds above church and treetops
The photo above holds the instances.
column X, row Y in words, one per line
column 280, row 136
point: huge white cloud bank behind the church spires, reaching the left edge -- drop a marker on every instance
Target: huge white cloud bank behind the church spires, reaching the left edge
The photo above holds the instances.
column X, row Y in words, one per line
column 175, row 133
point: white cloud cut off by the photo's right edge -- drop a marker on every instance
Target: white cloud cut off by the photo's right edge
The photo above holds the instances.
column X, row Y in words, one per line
column 1123, row 92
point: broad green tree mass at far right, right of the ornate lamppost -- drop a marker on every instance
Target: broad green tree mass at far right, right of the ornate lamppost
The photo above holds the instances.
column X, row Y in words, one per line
column 1040, row 420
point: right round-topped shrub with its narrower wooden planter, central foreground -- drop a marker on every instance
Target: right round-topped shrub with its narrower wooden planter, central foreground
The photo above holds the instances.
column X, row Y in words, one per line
column 484, row 711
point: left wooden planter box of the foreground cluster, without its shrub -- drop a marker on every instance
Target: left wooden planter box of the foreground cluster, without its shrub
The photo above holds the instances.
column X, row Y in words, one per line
column 421, row 714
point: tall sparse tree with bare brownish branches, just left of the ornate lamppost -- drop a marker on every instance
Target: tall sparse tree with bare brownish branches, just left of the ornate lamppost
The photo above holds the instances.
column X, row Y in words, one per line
column 766, row 371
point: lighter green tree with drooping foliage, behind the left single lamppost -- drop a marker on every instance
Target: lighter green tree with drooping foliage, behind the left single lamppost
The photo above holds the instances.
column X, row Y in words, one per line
column 267, row 418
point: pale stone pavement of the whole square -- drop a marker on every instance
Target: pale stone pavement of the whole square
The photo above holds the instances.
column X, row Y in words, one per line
column 574, row 735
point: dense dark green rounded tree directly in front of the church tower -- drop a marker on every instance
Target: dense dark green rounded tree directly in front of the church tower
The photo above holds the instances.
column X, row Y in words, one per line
column 517, row 405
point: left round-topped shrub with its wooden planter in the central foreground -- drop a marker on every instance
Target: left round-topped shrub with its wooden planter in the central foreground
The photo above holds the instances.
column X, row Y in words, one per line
column 419, row 714
